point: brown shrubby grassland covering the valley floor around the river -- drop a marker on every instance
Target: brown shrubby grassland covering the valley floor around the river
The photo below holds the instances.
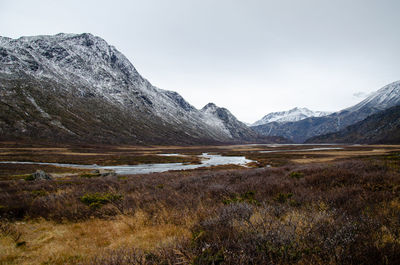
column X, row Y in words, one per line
column 338, row 206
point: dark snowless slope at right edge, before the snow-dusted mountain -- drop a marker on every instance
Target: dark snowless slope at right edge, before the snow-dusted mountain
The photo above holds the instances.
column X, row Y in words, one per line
column 380, row 128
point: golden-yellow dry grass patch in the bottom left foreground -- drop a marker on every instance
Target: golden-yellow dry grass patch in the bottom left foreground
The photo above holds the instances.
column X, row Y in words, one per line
column 59, row 243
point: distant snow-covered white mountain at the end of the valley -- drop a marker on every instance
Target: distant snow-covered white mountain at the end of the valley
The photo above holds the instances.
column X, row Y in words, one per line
column 295, row 114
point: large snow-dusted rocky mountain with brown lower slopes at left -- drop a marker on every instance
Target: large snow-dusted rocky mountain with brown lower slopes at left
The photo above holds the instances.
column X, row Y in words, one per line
column 76, row 87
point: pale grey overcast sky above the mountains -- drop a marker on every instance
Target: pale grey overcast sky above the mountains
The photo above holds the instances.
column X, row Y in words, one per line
column 250, row 56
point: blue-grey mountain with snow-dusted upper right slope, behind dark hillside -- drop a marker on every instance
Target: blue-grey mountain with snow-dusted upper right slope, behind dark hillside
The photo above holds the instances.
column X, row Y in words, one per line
column 299, row 131
